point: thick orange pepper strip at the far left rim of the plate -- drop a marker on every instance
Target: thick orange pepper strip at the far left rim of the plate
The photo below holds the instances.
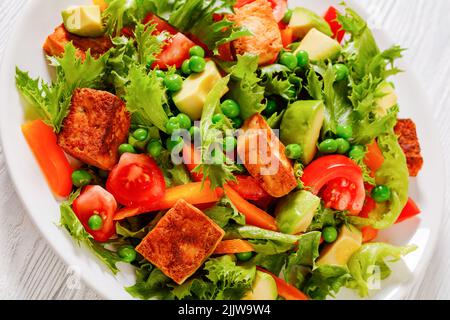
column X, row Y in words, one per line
column 51, row 158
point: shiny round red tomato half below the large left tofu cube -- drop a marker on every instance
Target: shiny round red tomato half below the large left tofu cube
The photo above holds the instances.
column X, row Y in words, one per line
column 136, row 180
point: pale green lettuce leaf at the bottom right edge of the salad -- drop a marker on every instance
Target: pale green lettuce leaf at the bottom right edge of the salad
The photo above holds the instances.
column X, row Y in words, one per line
column 370, row 255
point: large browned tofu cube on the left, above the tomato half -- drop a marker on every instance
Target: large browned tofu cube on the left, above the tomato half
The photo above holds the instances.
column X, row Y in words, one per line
column 97, row 124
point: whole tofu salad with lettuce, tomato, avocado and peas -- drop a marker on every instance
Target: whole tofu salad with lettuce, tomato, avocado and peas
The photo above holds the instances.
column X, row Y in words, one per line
column 227, row 149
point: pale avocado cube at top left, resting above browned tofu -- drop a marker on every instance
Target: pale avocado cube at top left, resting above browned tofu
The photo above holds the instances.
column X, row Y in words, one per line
column 84, row 21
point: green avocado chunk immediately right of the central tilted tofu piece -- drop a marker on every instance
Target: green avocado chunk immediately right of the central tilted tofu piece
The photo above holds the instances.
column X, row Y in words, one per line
column 301, row 125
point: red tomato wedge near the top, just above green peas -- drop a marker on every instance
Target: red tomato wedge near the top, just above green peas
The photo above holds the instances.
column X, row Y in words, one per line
column 175, row 52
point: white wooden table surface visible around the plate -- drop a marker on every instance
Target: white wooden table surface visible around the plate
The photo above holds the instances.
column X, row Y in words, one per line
column 29, row 269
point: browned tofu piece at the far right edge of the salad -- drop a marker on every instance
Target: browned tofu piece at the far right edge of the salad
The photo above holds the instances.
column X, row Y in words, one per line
column 409, row 142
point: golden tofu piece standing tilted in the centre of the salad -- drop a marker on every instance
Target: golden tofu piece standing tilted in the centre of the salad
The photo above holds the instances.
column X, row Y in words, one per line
column 264, row 157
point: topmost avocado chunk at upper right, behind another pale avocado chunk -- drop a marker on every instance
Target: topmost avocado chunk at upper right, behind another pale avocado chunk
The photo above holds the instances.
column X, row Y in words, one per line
column 304, row 20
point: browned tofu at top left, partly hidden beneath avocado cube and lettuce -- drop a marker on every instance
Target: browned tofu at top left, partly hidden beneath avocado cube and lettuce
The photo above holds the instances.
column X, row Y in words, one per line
column 55, row 43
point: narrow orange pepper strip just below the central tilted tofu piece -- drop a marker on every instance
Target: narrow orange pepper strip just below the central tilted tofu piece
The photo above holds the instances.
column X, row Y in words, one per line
column 253, row 215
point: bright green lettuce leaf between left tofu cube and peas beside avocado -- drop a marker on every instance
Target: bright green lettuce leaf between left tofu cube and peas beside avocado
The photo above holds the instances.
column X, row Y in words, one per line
column 145, row 96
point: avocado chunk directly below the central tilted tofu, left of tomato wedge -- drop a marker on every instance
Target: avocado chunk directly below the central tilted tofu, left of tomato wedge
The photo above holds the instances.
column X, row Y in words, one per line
column 295, row 212
